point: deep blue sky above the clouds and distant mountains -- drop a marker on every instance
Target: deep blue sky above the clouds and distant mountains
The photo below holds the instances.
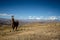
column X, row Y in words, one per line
column 22, row 9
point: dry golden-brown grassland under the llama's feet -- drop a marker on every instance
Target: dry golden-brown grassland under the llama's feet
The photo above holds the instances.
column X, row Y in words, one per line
column 32, row 31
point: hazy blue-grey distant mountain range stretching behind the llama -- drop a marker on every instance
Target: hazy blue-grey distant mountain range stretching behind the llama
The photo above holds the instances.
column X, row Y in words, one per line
column 4, row 21
